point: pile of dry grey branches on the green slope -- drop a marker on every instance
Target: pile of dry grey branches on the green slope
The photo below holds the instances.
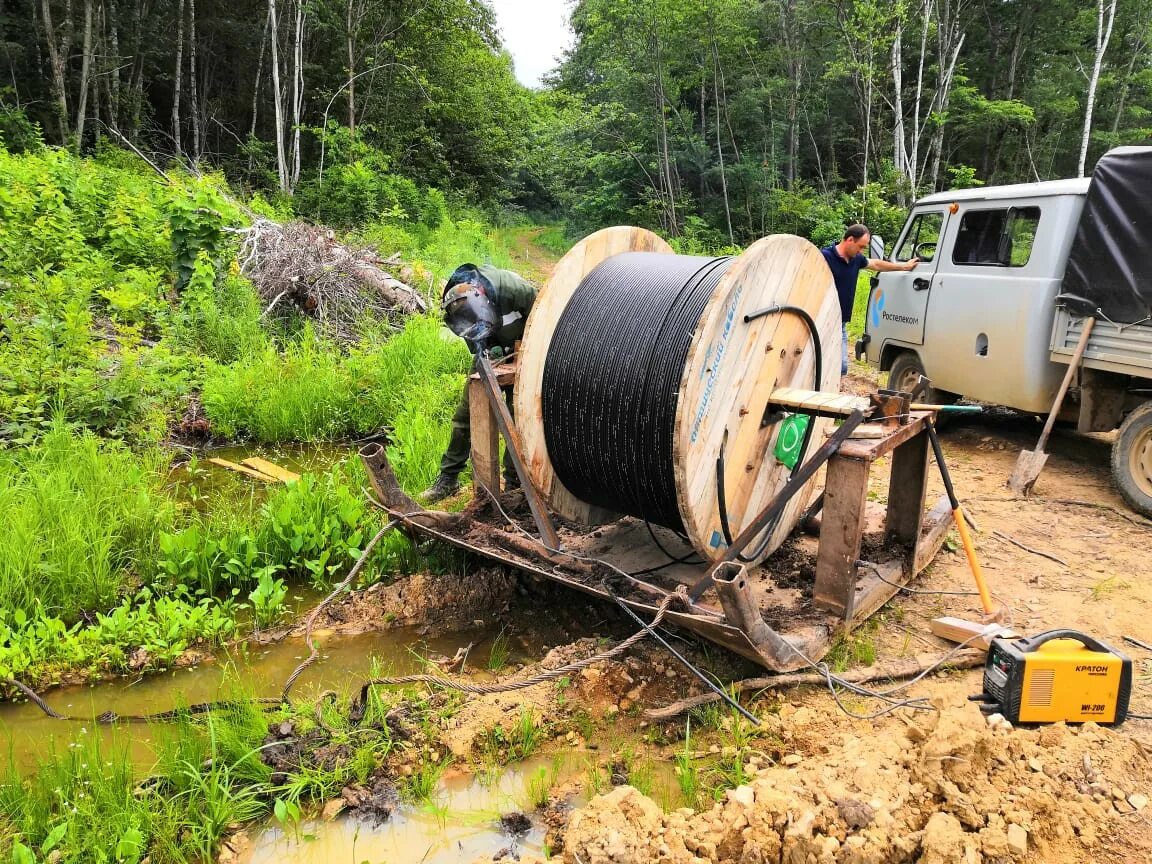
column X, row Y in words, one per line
column 305, row 267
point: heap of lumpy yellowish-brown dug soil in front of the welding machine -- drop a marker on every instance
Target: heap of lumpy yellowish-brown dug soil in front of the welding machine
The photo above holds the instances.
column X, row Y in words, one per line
column 950, row 791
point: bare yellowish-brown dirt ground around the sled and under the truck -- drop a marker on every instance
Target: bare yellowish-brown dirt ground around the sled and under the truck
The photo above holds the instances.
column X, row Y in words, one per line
column 929, row 787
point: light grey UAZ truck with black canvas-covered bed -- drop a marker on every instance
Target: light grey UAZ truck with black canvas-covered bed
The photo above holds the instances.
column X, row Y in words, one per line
column 1007, row 278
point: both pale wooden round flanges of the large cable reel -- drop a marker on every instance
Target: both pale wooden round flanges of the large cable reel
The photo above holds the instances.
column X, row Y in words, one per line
column 730, row 374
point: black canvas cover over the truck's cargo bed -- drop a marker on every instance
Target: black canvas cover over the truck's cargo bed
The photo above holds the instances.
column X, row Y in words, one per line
column 1109, row 268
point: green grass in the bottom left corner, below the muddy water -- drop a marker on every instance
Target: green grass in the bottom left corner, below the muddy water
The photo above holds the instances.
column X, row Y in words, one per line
column 86, row 805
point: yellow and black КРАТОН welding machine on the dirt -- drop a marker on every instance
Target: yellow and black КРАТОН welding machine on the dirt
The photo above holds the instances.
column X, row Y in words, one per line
column 1057, row 676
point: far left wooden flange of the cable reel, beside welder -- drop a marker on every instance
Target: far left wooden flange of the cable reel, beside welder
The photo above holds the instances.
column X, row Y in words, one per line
column 550, row 305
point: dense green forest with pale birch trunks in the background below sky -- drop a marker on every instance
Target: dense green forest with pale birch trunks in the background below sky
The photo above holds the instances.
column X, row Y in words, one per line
column 717, row 120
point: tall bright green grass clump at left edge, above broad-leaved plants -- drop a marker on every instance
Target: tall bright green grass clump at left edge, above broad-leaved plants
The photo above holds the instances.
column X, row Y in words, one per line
column 82, row 519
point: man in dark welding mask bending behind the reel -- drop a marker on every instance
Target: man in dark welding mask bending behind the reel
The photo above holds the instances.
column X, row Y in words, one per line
column 488, row 308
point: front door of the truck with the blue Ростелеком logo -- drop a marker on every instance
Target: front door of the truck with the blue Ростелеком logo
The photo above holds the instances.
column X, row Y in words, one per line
column 899, row 304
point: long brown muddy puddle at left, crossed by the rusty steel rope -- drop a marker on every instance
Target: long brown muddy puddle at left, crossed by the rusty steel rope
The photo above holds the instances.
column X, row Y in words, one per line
column 263, row 670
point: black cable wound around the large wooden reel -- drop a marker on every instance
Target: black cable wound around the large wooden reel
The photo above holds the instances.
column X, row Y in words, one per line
column 612, row 378
